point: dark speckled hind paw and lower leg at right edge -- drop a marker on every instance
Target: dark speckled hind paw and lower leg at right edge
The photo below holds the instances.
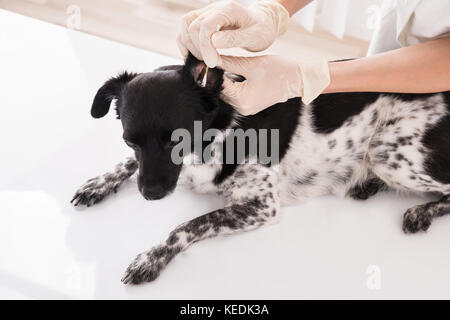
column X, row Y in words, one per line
column 419, row 217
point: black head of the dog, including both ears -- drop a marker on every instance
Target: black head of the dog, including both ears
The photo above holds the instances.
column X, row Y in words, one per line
column 152, row 105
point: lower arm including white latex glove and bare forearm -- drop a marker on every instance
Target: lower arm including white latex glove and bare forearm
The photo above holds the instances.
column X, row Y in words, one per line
column 423, row 68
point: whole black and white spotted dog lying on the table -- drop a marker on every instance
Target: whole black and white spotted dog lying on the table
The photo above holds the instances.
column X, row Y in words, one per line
column 348, row 144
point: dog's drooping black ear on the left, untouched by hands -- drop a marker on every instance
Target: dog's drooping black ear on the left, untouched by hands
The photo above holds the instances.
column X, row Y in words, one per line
column 108, row 92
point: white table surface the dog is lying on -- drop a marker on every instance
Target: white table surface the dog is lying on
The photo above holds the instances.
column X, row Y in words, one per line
column 49, row 249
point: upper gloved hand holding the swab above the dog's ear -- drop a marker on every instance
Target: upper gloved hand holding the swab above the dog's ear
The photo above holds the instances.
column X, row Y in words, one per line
column 254, row 28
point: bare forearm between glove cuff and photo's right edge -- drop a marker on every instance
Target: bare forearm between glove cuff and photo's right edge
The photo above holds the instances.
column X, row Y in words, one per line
column 422, row 68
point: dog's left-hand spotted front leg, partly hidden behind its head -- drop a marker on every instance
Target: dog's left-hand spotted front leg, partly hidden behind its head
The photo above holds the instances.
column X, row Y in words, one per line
column 95, row 189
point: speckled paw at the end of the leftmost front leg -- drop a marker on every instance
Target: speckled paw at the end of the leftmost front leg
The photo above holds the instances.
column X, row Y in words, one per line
column 93, row 191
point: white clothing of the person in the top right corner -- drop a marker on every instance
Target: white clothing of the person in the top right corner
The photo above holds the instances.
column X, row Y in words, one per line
column 408, row 22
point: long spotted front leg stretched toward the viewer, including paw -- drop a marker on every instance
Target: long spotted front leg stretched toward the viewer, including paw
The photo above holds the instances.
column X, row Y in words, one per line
column 243, row 216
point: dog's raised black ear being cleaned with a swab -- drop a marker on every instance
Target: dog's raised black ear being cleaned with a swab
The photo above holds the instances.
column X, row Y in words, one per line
column 196, row 69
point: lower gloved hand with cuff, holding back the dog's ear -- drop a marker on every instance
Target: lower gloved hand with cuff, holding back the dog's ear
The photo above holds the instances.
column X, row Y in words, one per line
column 272, row 79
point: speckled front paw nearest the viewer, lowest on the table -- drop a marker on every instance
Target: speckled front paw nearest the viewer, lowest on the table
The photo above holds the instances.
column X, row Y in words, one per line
column 148, row 265
